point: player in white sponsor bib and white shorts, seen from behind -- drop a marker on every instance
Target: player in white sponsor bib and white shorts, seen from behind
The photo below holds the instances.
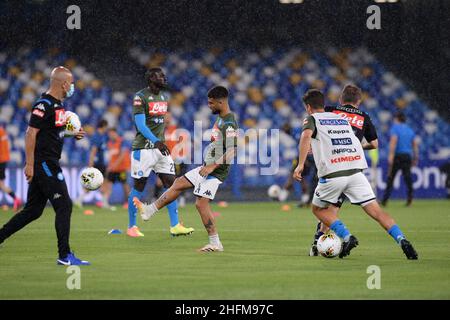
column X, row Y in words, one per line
column 340, row 160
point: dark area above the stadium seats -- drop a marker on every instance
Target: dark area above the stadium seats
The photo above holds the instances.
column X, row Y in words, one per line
column 414, row 41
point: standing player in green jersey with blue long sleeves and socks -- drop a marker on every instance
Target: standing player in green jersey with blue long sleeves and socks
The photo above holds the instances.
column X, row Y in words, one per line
column 149, row 151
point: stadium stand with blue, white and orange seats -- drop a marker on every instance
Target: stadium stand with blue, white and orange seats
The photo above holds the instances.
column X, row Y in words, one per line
column 266, row 87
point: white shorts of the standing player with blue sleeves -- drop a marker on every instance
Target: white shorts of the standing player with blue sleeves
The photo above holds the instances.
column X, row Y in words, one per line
column 143, row 161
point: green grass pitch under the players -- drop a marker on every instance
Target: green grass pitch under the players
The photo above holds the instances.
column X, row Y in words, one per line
column 265, row 257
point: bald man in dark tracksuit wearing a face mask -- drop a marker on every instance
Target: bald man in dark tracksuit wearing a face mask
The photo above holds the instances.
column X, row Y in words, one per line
column 43, row 143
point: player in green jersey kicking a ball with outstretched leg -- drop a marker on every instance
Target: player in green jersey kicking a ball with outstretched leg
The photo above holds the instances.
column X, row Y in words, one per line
column 205, row 180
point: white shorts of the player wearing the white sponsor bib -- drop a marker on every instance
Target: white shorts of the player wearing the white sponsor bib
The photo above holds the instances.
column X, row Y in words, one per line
column 356, row 187
